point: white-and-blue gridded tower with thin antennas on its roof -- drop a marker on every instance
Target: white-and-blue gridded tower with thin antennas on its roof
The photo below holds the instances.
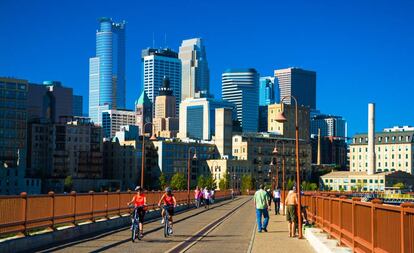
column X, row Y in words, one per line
column 156, row 64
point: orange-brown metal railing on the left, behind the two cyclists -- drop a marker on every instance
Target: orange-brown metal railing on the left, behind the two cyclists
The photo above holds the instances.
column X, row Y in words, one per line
column 20, row 214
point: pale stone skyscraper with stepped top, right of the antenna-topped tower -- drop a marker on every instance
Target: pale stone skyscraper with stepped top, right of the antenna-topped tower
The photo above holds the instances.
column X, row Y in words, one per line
column 195, row 74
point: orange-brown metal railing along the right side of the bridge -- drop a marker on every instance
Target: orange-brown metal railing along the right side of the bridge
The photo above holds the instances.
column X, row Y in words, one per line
column 363, row 226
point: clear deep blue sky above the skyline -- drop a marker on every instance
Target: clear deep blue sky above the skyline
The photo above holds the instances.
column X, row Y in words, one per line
column 362, row 51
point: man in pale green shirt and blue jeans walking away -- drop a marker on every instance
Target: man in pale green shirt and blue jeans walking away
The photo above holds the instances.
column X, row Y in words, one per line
column 261, row 201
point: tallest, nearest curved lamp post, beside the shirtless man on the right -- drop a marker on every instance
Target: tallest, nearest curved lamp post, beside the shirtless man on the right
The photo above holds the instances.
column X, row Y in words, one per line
column 280, row 117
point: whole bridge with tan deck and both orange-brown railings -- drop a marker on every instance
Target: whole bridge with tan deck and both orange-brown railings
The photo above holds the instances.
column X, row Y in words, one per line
column 98, row 222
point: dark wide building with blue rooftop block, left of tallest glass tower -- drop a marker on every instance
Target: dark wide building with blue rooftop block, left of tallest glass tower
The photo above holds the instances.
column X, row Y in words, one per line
column 49, row 101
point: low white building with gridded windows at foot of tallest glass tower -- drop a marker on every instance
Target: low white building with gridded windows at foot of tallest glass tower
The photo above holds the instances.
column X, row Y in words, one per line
column 112, row 120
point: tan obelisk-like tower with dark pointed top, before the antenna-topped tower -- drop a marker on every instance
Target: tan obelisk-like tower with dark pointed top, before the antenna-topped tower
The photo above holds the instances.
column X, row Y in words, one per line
column 165, row 121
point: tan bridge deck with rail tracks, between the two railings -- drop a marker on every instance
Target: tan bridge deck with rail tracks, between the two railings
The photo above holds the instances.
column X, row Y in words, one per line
column 227, row 227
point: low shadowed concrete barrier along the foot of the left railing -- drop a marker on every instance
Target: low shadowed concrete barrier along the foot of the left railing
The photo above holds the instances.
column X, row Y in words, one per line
column 88, row 230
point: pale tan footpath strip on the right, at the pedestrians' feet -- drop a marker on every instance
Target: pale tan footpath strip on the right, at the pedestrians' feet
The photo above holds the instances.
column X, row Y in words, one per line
column 277, row 239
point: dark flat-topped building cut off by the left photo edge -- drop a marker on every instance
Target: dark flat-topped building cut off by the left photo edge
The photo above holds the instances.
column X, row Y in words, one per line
column 13, row 116
